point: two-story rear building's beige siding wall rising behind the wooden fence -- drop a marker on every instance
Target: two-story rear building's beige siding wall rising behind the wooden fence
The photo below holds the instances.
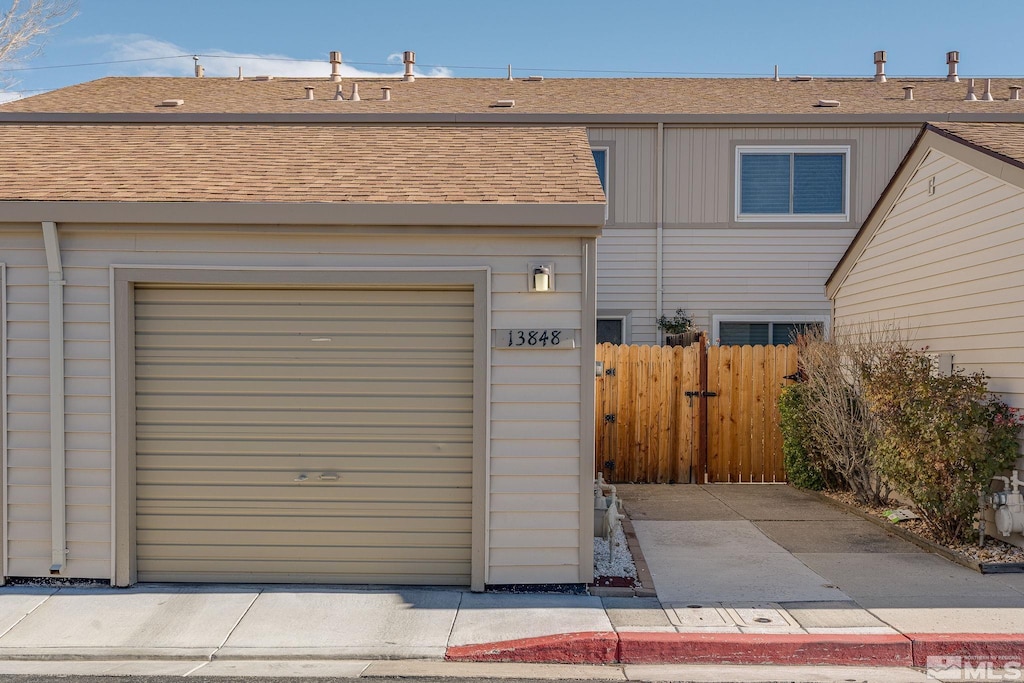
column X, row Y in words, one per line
column 712, row 265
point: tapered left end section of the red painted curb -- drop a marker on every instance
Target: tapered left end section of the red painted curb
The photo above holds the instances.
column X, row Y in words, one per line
column 590, row 648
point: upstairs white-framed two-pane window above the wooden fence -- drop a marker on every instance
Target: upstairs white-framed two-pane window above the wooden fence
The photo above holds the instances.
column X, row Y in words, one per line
column 801, row 184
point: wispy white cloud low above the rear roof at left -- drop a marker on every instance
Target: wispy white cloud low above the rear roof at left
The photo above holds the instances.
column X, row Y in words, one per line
column 224, row 63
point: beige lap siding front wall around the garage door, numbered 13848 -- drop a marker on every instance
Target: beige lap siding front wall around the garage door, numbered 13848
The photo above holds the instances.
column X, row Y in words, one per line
column 535, row 447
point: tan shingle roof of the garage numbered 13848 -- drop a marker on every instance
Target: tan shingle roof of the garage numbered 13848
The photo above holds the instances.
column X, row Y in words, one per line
column 297, row 163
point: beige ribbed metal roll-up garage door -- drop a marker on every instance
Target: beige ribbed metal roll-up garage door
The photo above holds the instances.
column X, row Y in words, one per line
column 305, row 436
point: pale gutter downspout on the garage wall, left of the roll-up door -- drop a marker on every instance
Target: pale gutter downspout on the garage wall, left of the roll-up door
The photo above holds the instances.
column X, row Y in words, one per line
column 59, row 542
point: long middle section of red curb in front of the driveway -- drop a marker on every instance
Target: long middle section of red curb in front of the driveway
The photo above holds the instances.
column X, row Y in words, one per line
column 878, row 651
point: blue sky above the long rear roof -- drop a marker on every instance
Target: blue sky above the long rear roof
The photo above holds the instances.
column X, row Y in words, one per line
column 550, row 37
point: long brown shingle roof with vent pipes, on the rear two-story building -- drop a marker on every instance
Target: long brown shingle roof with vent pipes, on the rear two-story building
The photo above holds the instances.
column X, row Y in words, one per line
column 476, row 96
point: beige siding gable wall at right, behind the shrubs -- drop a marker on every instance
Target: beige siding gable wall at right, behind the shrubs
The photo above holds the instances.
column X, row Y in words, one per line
column 950, row 269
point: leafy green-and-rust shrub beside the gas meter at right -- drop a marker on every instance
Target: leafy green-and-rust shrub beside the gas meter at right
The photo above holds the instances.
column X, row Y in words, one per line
column 943, row 439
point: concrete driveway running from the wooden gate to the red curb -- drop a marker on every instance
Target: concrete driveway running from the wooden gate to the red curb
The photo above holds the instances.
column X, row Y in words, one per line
column 806, row 566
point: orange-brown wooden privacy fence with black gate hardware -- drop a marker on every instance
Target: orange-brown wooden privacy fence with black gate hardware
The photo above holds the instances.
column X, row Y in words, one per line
column 694, row 414
